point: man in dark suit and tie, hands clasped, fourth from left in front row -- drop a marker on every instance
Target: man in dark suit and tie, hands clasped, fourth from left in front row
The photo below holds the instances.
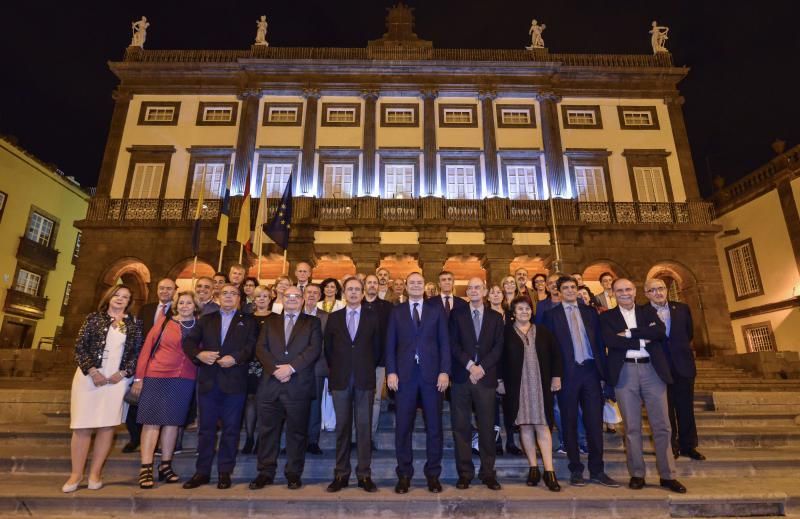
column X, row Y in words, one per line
column 288, row 347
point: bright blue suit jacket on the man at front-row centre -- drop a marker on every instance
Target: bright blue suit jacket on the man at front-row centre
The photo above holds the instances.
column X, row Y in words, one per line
column 431, row 339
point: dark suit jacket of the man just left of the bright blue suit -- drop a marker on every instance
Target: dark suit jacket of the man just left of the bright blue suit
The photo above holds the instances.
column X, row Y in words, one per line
column 348, row 357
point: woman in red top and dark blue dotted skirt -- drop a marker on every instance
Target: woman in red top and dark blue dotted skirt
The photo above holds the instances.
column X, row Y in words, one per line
column 165, row 379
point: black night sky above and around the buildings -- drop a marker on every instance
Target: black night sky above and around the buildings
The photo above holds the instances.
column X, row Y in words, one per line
column 741, row 92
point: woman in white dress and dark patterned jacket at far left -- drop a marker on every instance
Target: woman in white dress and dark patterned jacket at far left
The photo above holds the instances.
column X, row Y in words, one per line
column 106, row 351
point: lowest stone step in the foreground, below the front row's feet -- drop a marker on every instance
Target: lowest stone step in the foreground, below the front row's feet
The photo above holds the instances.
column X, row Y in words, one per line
column 707, row 497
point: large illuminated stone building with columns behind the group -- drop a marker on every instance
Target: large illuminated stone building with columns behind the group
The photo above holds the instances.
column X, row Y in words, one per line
column 409, row 156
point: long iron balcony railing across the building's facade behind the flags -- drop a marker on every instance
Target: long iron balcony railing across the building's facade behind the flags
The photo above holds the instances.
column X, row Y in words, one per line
column 494, row 210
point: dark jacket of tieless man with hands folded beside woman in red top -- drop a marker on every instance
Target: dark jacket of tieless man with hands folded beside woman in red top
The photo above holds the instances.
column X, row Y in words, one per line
column 238, row 343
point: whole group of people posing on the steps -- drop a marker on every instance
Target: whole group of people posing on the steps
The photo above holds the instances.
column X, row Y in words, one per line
column 244, row 354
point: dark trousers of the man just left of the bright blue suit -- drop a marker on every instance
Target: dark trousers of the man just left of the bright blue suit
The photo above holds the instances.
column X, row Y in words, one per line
column 349, row 403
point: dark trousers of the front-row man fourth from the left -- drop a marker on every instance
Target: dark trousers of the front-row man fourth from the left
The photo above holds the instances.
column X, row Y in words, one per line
column 271, row 416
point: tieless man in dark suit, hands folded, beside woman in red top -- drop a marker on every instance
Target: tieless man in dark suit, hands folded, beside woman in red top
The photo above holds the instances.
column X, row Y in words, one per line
column 222, row 345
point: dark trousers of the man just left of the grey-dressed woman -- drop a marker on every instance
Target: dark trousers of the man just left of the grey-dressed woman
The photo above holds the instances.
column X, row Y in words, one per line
column 462, row 399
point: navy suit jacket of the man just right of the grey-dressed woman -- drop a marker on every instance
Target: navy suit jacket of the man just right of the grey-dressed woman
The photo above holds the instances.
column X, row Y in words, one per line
column 556, row 321
